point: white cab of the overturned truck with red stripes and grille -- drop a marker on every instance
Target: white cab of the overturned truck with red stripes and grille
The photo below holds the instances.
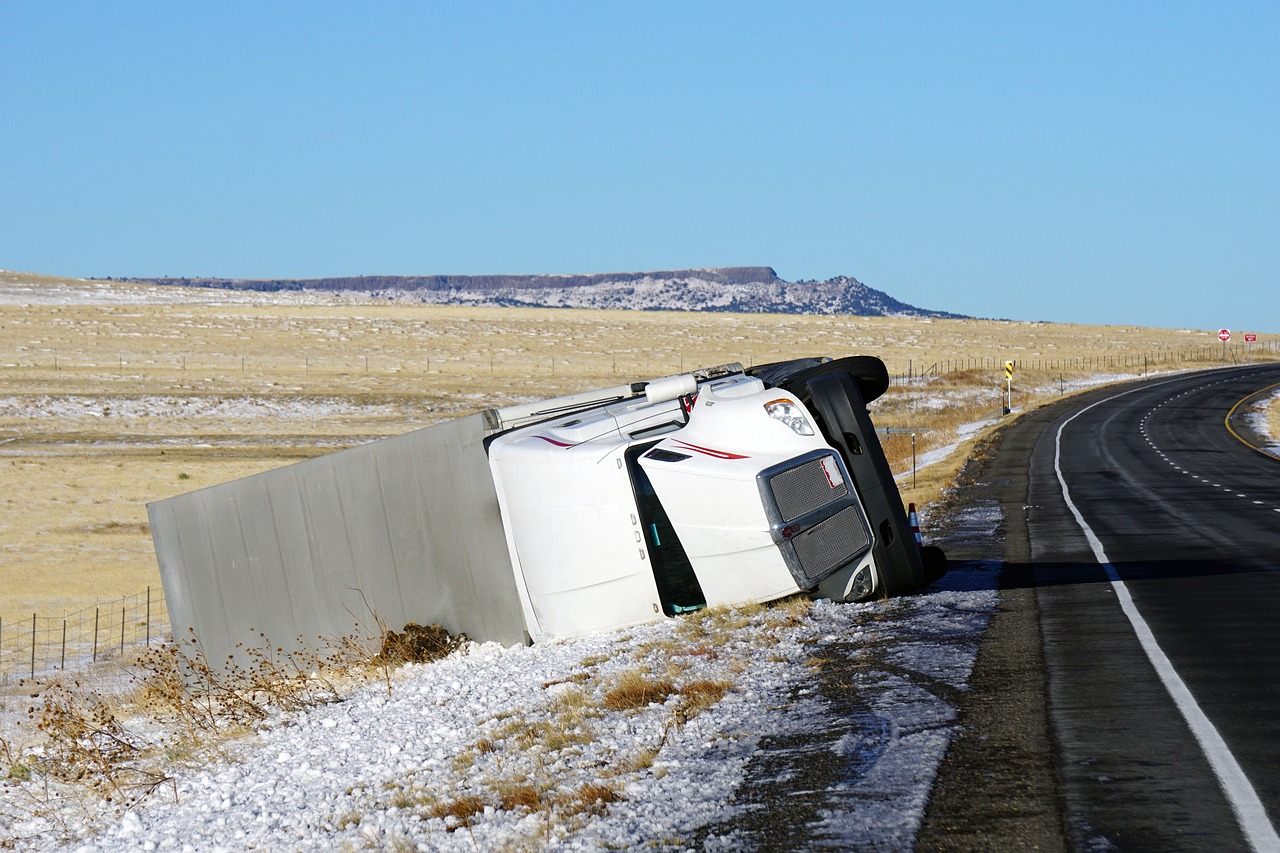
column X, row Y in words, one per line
column 646, row 501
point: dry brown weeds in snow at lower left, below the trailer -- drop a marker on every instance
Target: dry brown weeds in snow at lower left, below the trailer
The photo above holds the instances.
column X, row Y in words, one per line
column 122, row 742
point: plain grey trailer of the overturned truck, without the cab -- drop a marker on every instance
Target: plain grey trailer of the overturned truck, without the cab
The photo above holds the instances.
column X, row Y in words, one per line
column 405, row 530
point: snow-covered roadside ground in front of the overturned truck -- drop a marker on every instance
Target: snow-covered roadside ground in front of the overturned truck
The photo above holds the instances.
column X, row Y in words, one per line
column 848, row 705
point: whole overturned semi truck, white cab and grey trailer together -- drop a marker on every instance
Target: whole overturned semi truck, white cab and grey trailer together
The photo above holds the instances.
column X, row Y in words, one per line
column 560, row 518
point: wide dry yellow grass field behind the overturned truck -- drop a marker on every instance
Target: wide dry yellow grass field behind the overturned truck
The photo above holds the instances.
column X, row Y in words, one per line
column 115, row 395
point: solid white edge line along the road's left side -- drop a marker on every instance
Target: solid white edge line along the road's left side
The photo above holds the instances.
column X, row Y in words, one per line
column 1250, row 811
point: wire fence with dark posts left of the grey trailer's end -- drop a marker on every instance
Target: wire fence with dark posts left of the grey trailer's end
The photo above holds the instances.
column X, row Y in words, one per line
column 44, row 645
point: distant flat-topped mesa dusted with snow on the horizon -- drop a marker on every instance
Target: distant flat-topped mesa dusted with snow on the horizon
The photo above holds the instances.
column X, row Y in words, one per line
column 749, row 290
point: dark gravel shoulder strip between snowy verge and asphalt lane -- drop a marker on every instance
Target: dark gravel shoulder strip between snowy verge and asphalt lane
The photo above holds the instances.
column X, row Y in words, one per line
column 998, row 788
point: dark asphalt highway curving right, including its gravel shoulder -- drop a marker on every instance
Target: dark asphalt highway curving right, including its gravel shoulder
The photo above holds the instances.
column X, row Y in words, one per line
column 1128, row 692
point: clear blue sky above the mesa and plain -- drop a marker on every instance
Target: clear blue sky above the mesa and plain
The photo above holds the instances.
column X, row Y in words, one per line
column 1080, row 162
